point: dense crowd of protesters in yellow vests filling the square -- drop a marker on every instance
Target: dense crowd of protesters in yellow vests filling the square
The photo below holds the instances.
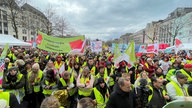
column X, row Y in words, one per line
column 34, row 78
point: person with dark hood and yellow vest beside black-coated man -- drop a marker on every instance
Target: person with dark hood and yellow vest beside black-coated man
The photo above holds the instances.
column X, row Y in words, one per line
column 100, row 93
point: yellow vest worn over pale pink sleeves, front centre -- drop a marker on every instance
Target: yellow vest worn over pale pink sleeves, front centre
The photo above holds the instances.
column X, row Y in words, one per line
column 84, row 91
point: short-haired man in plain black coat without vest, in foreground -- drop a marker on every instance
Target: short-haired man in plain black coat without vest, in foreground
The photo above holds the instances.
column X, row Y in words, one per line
column 123, row 97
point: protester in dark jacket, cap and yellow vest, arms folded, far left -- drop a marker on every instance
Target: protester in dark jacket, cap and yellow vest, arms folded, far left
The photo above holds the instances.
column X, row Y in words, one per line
column 14, row 83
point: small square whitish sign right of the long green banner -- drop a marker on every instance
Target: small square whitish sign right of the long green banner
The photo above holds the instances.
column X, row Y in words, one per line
column 96, row 46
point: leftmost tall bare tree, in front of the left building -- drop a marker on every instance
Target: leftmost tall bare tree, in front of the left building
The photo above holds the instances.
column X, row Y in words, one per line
column 13, row 14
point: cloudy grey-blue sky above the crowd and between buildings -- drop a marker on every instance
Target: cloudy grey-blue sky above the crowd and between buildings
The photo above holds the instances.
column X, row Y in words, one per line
column 109, row 19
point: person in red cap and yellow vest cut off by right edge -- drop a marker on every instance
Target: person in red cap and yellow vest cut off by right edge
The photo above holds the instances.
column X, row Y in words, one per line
column 187, row 70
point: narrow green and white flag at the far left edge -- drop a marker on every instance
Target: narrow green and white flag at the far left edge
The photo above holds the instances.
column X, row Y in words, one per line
column 2, row 62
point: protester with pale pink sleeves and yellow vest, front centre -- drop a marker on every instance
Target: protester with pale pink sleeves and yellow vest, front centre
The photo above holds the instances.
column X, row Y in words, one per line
column 85, row 83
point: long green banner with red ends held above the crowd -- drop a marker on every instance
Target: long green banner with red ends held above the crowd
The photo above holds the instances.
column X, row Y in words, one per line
column 57, row 44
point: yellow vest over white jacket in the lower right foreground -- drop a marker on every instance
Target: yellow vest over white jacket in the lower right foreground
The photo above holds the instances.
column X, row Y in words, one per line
column 179, row 91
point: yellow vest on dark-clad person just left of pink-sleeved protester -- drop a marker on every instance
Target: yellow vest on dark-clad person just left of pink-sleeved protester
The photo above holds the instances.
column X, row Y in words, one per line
column 72, row 90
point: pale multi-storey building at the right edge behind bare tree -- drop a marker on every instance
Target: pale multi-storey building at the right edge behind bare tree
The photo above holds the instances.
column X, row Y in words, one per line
column 177, row 25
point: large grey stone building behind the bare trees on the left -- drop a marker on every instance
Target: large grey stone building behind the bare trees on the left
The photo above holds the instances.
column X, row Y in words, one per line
column 30, row 21
